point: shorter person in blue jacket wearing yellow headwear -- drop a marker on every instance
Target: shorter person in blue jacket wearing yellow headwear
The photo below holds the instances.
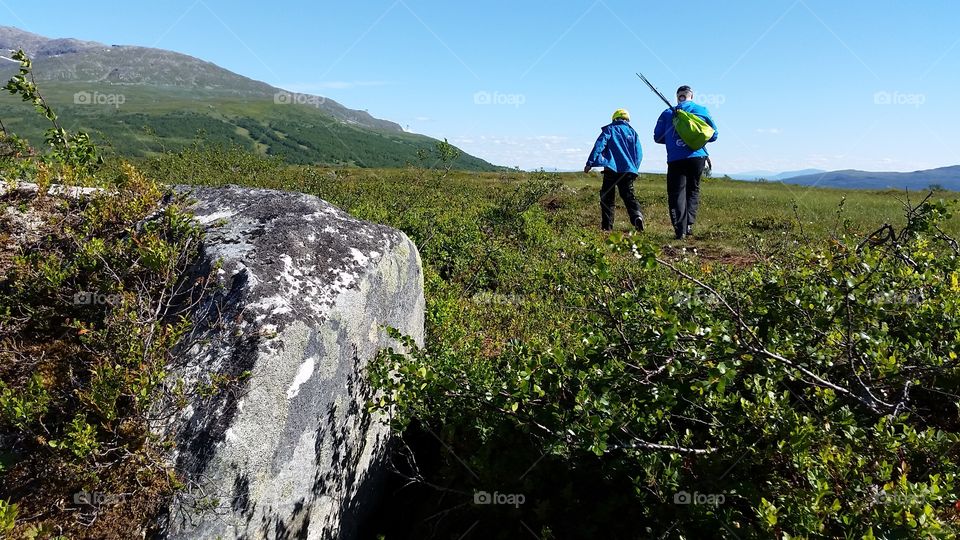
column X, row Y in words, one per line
column 618, row 151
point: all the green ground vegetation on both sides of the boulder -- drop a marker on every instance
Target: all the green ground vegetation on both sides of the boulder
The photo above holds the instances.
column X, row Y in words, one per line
column 783, row 374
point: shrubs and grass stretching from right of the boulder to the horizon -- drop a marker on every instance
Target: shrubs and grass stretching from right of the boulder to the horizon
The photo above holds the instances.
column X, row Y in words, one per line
column 791, row 373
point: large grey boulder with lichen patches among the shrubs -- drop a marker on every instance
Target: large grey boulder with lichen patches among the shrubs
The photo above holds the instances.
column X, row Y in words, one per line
column 281, row 445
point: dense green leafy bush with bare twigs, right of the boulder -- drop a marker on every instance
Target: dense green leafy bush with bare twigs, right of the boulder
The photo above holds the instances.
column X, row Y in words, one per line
column 810, row 396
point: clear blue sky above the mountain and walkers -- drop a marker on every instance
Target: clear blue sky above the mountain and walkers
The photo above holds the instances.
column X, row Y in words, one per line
column 791, row 83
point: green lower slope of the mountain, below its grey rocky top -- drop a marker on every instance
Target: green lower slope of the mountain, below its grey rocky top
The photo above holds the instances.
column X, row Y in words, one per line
column 140, row 121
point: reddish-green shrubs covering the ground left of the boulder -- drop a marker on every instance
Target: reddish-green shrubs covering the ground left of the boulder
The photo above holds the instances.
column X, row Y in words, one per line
column 88, row 318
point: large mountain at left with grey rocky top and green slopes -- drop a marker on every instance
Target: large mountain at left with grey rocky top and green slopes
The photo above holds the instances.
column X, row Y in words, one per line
column 143, row 100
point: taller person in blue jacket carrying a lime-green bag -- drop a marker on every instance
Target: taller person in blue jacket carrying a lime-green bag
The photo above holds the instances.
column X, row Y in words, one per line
column 684, row 165
